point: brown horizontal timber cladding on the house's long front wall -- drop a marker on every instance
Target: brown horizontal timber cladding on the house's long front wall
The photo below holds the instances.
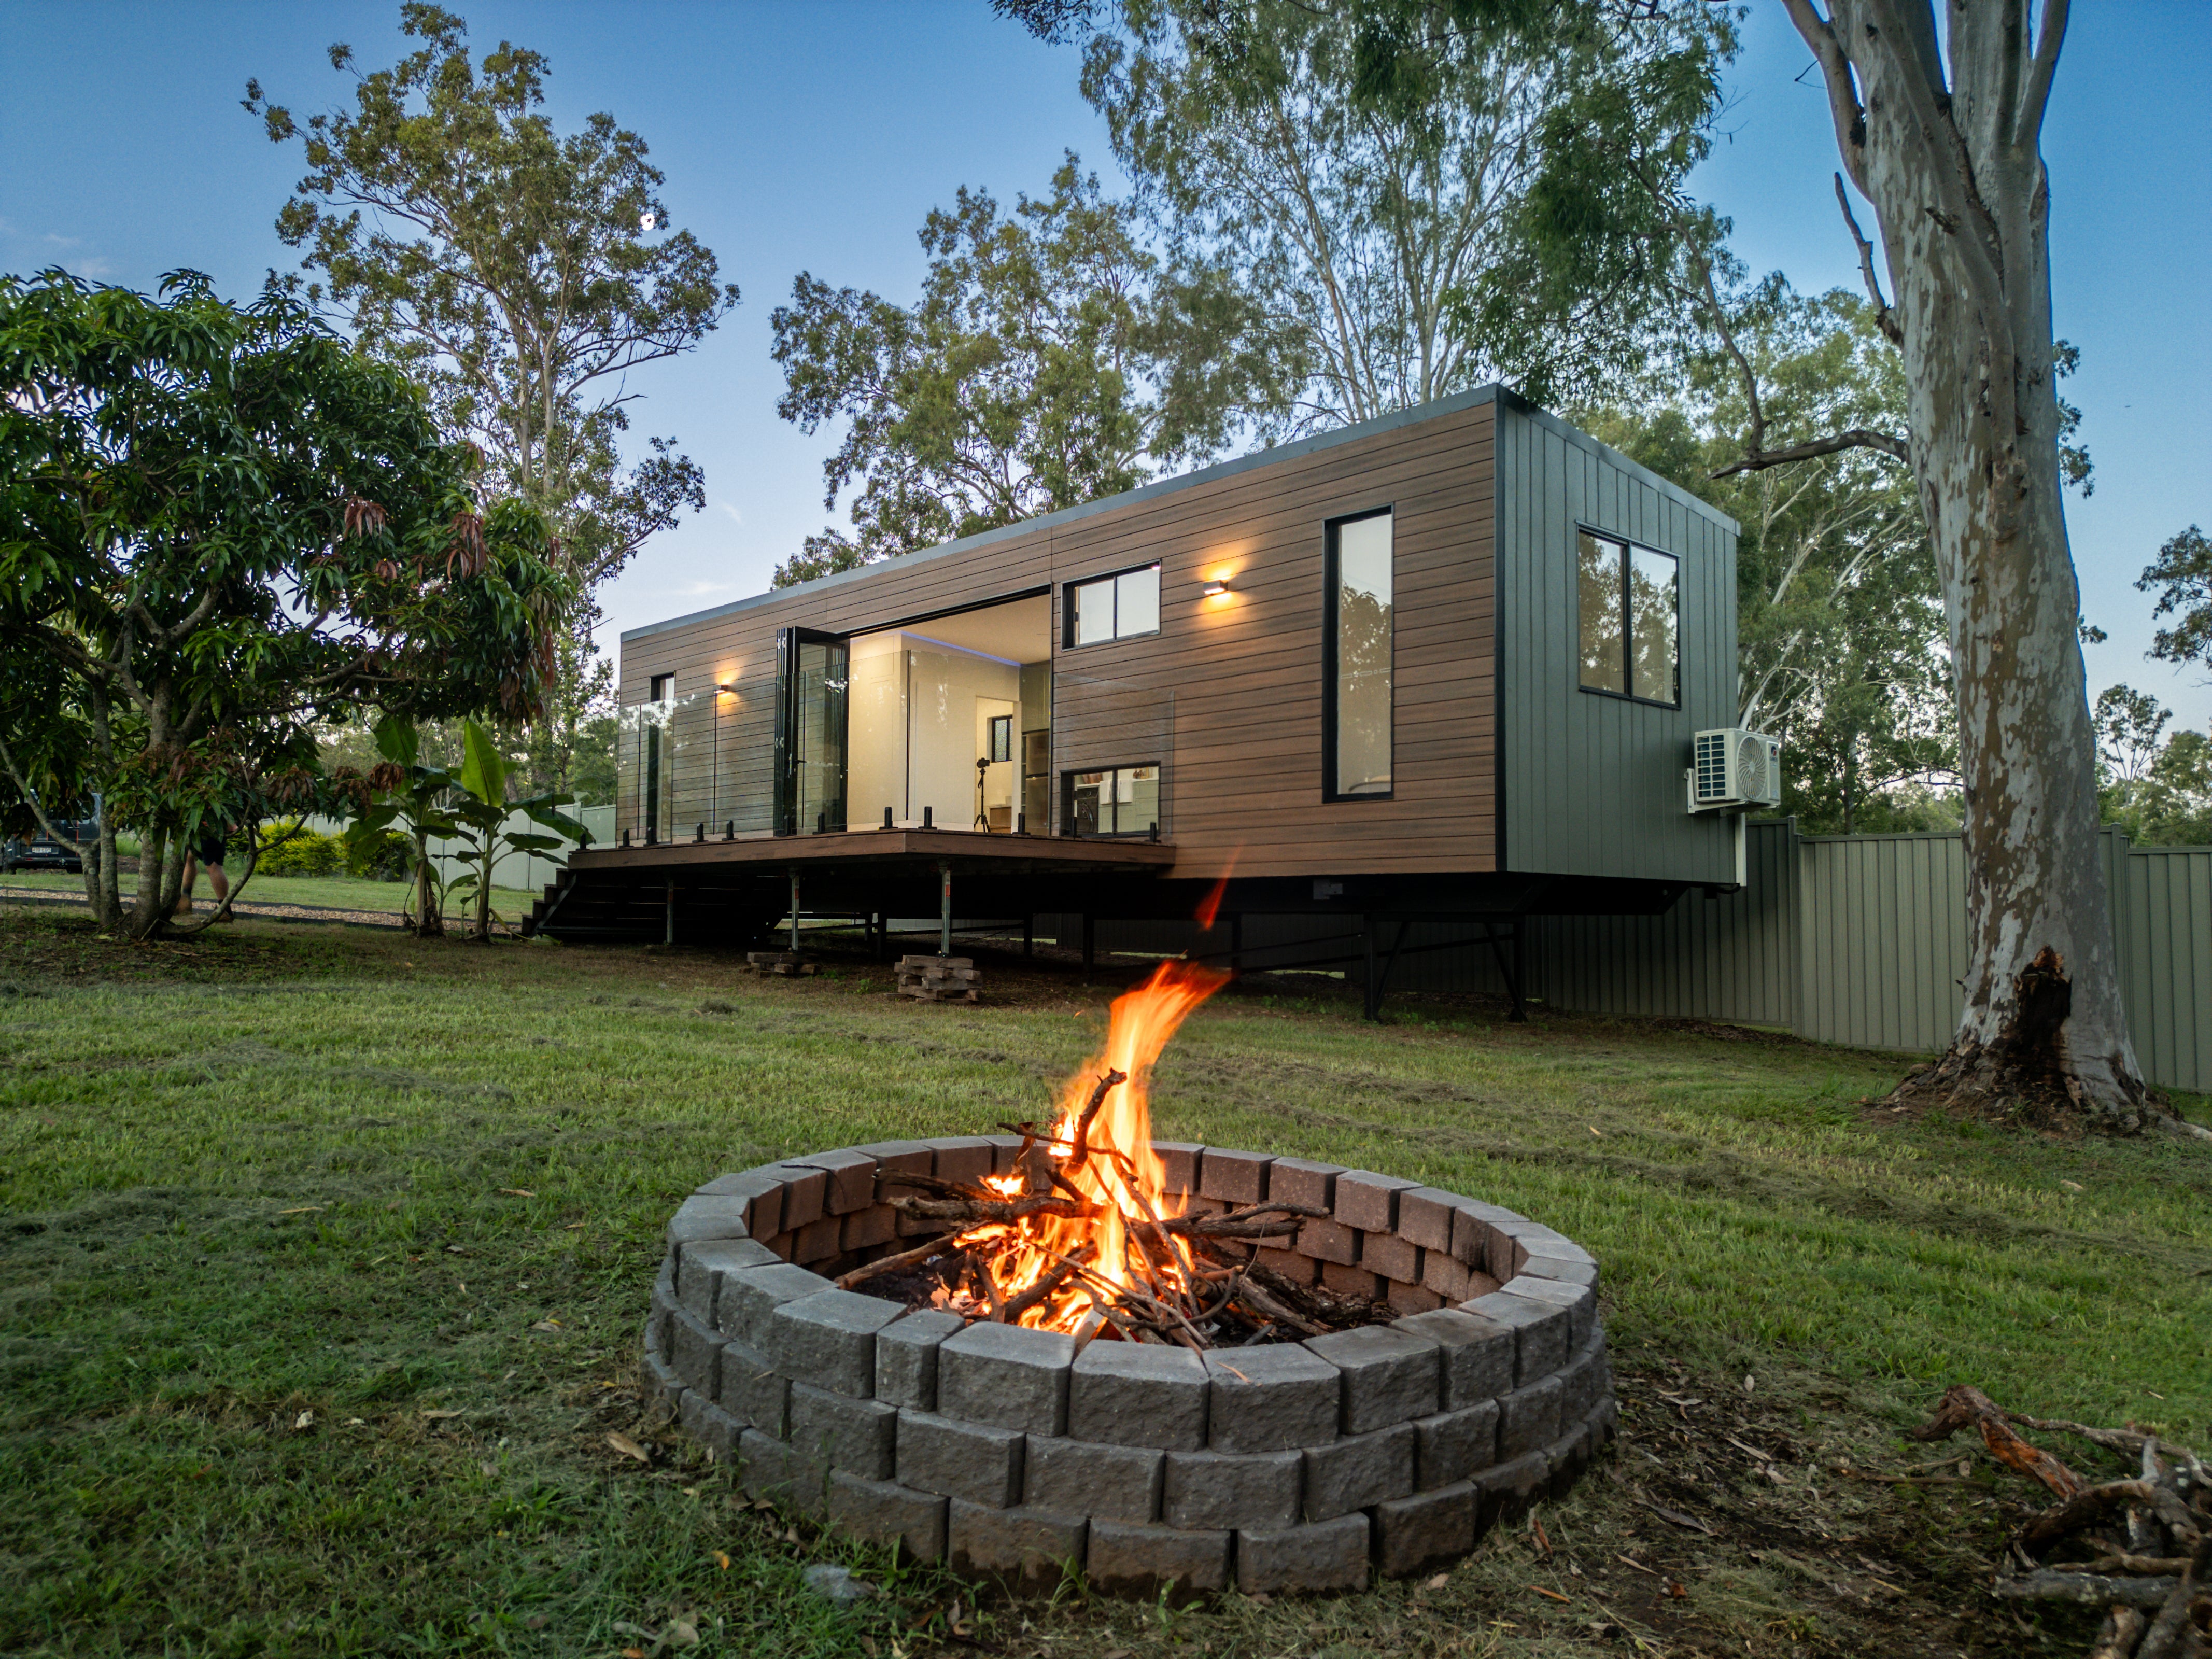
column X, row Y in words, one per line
column 1227, row 696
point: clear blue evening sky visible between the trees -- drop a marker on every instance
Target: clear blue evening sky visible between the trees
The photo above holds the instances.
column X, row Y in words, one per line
column 817, row 136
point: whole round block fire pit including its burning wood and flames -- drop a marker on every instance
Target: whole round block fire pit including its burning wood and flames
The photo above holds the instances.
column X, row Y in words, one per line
column 1167, row 1366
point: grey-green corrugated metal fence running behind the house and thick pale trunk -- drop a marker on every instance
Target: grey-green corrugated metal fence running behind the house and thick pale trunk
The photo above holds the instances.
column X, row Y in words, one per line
column 1841, row 939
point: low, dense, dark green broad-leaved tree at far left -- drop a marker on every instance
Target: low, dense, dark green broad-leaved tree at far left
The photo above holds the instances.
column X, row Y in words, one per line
column 220, row 532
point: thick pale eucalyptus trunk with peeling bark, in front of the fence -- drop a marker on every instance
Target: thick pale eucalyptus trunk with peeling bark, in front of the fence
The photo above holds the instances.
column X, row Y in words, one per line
column 1948, row 147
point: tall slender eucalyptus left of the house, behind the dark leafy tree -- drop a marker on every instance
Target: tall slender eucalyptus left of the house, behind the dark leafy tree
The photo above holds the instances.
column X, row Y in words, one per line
column 523, row 273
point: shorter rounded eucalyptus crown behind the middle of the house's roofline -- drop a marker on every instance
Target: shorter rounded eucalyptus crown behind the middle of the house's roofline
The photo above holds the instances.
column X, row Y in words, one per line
column 1050, row 359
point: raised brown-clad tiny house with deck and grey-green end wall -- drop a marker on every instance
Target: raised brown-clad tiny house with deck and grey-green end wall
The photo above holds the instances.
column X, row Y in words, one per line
column 1437, row 671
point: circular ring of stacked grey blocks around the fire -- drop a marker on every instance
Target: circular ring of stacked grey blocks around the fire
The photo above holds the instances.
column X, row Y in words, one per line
column 1012, row 1457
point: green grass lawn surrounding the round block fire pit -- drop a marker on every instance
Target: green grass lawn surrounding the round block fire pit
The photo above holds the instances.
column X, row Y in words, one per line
column 324, row 1258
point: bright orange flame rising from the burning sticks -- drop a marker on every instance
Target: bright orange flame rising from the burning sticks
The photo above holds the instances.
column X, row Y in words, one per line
column 1120, row 1173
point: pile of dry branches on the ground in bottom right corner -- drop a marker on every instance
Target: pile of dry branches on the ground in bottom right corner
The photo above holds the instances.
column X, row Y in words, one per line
column 2147, row 1541
